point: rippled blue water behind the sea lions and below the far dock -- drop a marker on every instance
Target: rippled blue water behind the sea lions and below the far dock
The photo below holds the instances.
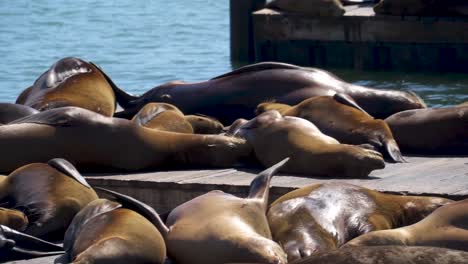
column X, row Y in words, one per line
column 142, row 44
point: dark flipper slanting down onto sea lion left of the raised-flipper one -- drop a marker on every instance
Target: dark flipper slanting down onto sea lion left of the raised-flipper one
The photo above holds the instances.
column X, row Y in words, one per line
column 139, row 207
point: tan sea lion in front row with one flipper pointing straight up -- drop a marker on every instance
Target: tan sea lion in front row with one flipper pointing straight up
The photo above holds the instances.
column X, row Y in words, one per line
column 230, row 228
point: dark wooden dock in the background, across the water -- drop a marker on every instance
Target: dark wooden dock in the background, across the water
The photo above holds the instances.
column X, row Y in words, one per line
column 360, row 39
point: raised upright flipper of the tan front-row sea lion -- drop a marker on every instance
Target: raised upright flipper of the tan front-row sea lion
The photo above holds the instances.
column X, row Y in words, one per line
column 260, row 186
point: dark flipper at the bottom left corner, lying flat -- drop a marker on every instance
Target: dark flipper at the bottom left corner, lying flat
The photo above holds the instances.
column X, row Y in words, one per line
column 26, row 245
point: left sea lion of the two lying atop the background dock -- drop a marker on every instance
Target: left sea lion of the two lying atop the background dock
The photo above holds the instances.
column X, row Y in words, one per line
column 308, row 7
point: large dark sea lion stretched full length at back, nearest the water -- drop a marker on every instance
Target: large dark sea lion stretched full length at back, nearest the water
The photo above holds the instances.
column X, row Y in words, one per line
column 240, row 91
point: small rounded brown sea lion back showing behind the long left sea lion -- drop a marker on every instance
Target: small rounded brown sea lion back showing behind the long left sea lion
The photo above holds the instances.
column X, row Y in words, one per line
column 163, row 117
